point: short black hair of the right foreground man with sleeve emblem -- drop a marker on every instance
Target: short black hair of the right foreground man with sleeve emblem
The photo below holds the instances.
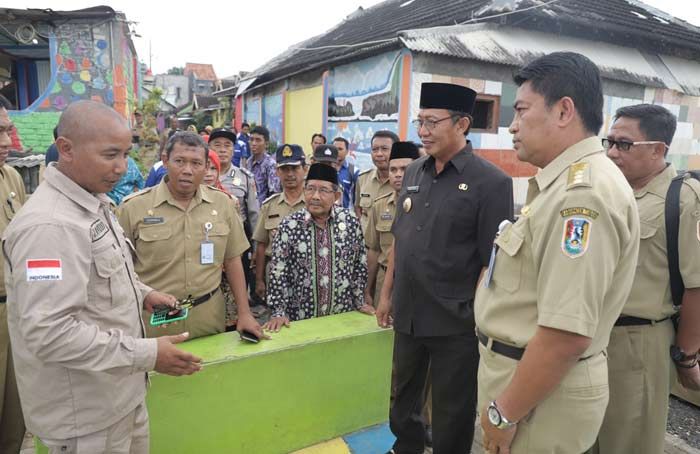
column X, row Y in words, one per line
column 562, row 74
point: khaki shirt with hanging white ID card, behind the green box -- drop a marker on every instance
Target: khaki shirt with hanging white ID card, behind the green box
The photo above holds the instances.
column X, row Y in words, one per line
column 168, row 238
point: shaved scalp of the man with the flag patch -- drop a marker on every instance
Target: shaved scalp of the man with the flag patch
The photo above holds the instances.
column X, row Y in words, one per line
column 82, row 119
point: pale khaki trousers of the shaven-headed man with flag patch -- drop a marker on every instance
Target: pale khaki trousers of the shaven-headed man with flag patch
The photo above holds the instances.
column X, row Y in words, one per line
column 128, row 436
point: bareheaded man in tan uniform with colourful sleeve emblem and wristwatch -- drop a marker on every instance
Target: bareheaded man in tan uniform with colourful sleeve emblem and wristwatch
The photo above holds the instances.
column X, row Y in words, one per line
column 560, row 275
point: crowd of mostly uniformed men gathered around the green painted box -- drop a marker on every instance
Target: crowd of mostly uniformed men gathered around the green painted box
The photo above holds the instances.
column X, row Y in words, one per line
column 555, row 326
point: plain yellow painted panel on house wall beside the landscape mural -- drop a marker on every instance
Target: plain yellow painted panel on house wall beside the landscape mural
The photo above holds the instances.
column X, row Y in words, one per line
column 303, row 116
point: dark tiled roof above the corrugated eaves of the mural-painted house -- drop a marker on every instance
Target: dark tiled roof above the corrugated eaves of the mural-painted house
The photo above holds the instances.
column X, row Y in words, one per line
column 627, row 22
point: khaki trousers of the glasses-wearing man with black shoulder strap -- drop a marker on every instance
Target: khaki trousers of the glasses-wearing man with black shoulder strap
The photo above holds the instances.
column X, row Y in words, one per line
column 640, row 372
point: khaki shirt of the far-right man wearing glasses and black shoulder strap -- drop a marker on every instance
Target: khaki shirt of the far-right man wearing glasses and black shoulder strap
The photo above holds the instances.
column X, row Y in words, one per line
column 651, row 292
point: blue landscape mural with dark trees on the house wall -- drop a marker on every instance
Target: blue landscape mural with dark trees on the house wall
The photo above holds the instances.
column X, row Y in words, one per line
column 365, row 97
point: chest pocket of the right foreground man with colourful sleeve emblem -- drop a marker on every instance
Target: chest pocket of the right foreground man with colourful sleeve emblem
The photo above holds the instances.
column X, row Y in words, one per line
column 507, row 272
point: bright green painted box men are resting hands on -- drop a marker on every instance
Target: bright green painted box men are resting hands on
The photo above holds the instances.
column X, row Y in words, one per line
column 315, row 381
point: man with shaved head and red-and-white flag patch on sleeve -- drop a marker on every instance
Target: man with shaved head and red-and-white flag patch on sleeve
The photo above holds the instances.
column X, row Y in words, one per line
column 74, row 301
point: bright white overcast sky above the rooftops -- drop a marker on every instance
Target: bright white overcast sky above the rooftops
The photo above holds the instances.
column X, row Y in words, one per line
column 242, row 35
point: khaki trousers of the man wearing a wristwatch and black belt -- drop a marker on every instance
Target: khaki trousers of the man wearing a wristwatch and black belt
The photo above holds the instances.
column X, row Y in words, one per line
column 568, row 420
